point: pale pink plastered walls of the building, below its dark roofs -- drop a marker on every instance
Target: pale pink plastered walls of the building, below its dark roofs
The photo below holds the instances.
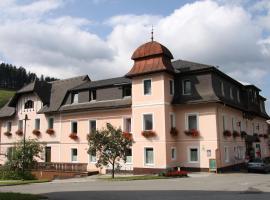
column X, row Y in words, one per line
column 149, row 154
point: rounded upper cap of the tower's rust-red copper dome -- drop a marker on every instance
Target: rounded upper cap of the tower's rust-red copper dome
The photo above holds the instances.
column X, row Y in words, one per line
column 152, row 48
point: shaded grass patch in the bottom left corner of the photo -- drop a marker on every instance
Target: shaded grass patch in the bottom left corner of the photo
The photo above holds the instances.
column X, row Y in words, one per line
column 19, row 196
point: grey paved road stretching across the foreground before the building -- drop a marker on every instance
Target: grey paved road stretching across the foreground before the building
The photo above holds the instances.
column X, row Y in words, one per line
column 199, row 186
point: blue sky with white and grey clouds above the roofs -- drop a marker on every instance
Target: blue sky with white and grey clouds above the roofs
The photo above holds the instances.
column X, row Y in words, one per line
column 65, row 38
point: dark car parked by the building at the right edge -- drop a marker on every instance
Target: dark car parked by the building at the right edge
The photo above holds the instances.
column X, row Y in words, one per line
column 258, row 164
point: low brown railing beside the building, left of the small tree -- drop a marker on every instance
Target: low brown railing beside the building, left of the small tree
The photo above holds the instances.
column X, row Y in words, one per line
column 68, row 167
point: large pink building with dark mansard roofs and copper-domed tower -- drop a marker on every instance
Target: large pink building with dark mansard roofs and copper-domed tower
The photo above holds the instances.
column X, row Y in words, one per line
column 180, row 113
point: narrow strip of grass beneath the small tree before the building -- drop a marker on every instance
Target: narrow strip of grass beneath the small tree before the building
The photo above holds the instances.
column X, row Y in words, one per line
column 133, row 178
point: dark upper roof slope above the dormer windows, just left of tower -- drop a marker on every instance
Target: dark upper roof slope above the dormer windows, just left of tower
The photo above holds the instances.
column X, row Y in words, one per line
column 103, row 83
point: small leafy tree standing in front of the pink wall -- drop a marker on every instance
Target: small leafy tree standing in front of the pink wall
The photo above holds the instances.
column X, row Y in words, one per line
column 110, row 145
